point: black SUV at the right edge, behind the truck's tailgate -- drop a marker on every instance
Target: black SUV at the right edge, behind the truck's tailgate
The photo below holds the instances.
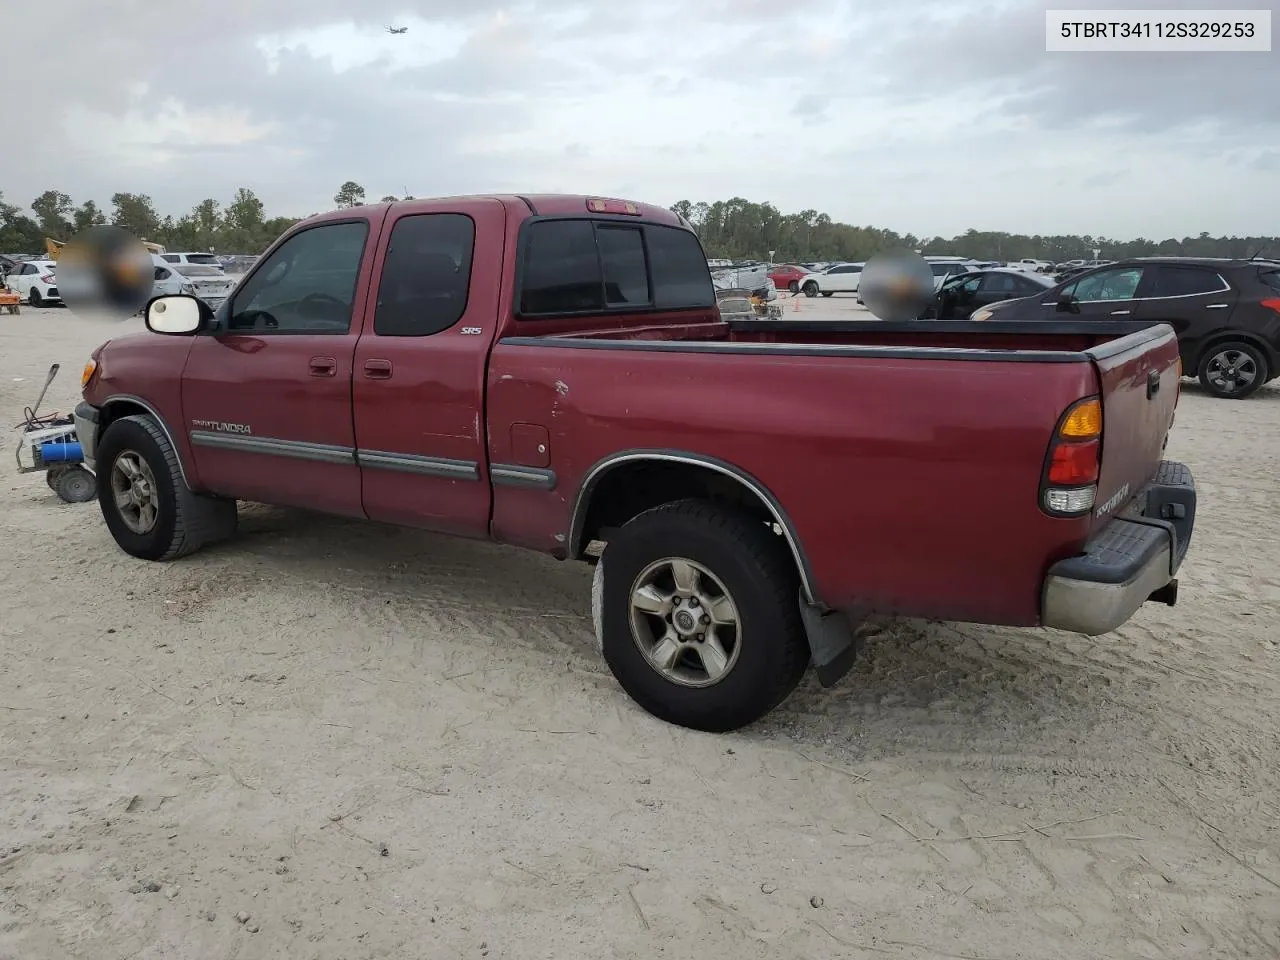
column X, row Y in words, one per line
column 1227, row 313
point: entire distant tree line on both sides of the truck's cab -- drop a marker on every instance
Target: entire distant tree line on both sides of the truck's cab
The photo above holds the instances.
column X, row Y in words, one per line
column 734, row 228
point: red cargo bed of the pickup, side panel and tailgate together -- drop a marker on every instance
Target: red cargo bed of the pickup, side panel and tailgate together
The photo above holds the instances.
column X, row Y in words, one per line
column 908, row 455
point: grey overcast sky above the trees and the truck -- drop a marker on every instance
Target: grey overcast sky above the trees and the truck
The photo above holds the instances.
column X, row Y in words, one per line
column 920, row 116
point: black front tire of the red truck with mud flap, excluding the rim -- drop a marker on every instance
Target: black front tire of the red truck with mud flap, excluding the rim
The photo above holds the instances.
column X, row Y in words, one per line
column 185, row 520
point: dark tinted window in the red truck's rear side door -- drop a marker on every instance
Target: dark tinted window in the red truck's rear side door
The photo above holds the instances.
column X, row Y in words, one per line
column 427, row 275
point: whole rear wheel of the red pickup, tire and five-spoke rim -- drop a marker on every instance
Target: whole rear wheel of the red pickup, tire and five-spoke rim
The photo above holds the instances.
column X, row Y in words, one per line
column 698, row 616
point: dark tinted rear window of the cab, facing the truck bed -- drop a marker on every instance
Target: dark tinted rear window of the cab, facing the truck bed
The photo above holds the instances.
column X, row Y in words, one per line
column 597, row 267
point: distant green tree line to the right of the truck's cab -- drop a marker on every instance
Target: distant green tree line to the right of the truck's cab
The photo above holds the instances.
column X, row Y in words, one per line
column 739, row 230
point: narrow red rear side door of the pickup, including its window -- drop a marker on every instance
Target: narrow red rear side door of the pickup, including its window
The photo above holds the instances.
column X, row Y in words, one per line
column 420, row 368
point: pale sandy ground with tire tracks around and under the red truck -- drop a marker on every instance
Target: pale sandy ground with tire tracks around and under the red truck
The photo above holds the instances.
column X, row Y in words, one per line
column 385, row 744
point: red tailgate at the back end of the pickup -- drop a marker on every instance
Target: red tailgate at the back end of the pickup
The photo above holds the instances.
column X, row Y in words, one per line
column 1140, row 382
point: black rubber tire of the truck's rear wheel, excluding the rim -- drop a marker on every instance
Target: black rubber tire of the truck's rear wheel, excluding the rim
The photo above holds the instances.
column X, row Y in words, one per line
column 755, row 568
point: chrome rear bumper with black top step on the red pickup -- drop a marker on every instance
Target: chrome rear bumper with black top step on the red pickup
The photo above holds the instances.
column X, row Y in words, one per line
column 1131, row 560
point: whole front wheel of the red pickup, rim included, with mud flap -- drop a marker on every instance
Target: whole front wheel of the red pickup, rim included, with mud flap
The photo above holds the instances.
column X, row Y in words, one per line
column 145, row 502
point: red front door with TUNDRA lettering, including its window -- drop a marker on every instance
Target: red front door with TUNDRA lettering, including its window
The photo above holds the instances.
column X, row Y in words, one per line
column 267, row 397
